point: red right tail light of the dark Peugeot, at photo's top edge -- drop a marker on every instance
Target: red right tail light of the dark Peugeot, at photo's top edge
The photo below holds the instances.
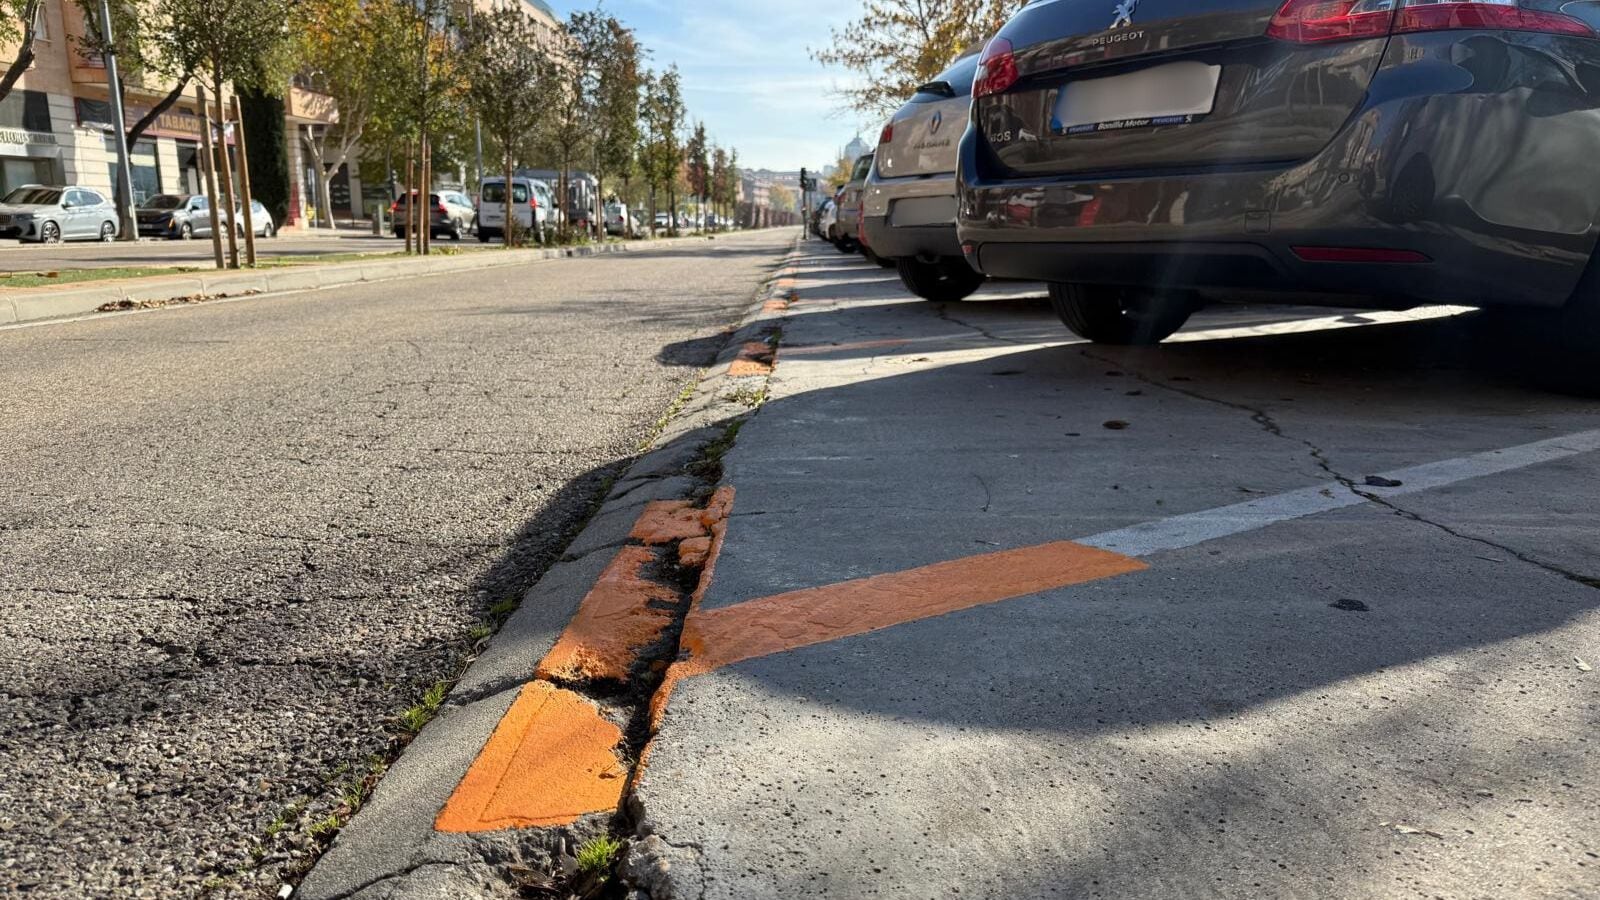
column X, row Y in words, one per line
column 1322, row 22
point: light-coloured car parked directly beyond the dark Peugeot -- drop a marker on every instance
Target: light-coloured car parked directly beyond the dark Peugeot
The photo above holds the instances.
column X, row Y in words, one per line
column 910, row 207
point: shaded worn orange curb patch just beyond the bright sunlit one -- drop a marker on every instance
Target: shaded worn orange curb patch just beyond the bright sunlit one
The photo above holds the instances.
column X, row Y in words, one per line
column 614, row 624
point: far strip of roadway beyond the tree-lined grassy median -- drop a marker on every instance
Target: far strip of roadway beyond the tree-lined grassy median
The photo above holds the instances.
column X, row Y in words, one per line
column 89, row 255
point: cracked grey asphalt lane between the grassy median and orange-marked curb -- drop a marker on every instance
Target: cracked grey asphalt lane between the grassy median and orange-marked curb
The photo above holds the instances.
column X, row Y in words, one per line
column 241, row 539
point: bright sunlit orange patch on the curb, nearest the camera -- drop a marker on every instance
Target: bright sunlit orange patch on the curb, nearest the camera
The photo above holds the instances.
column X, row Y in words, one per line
column 550, row 763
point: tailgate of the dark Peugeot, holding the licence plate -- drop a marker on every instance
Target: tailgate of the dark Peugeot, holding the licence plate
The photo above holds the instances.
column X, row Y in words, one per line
column 1177, row 84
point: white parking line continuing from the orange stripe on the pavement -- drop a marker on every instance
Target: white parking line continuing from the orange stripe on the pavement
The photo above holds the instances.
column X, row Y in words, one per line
column 1198, row 528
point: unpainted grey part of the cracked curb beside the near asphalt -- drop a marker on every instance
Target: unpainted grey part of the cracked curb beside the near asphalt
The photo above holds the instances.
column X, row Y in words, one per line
column 391, row 851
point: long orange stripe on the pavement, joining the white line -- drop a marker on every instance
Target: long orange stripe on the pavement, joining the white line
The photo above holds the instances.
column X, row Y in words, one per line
column 802, row 619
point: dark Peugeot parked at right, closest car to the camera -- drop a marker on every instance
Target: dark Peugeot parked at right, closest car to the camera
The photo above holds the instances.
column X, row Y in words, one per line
column 1150, row 156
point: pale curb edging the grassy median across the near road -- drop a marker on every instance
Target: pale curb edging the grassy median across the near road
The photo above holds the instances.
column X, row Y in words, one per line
column 42, row 305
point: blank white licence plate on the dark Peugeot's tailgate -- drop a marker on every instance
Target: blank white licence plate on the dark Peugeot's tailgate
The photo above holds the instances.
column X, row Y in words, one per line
column 1177, row 94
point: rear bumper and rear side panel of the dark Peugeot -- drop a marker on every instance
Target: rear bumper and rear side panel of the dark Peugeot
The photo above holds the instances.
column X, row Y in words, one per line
column 1473, row 182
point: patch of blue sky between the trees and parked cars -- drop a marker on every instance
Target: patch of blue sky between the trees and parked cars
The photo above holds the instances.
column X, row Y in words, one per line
column 748, row 74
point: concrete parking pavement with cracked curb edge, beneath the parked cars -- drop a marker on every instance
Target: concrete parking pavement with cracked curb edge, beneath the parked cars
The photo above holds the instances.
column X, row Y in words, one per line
column 1276, row 609
